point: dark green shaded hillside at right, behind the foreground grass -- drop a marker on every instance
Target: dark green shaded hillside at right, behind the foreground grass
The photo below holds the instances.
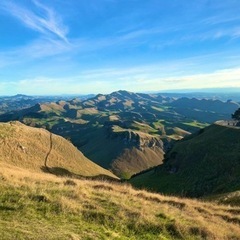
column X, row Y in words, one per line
column 206, row 163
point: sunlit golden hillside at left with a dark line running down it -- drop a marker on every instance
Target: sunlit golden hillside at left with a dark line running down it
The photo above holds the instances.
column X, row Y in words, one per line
column 29, row 147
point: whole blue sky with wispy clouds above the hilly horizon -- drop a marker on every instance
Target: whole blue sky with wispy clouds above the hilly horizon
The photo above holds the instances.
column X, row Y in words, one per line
column 100, row 46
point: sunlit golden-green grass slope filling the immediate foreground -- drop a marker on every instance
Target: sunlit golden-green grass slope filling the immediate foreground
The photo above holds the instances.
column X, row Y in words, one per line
column 42, row 206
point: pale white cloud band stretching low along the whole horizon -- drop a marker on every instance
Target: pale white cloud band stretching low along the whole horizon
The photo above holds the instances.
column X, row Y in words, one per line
column 136, row 80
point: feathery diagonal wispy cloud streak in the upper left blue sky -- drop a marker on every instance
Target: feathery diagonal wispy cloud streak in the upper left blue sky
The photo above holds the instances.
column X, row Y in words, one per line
column 40, row 18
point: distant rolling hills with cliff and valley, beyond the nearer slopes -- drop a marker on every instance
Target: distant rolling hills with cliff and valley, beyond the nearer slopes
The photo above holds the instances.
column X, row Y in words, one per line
column 124, row 131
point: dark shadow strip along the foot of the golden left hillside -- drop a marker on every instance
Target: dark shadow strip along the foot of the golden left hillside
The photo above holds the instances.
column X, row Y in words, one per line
column 62, row 172
